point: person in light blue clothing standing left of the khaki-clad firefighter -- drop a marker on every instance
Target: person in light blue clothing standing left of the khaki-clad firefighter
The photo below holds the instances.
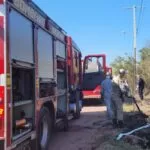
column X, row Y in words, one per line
column 106, row 94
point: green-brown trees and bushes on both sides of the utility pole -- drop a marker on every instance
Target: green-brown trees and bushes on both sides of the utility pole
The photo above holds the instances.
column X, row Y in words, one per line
column 143, row 67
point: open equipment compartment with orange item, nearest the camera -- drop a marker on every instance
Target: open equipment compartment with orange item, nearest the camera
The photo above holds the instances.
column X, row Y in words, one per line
column 22, row 100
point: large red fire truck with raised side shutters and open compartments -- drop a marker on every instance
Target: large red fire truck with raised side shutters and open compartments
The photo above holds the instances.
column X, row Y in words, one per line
column 39, row 74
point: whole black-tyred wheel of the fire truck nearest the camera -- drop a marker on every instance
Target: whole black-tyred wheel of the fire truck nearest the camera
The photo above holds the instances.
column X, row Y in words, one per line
column 44, row 129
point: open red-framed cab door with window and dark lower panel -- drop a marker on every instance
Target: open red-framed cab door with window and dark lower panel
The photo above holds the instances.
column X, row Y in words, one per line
column 94, row 70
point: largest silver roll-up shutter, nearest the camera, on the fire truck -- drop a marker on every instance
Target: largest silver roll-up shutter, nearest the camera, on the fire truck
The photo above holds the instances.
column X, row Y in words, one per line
column 21, row 37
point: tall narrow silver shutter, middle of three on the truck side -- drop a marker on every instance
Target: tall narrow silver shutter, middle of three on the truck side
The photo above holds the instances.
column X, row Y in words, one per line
column 45, row 55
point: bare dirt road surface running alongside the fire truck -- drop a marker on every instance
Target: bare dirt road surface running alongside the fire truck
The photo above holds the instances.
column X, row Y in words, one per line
column 83, row 132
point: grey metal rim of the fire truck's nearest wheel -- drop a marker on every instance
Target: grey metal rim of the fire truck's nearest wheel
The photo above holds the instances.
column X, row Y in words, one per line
column 44, row 132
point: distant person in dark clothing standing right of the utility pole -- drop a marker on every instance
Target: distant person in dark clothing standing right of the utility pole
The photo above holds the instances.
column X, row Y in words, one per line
column 140, row 87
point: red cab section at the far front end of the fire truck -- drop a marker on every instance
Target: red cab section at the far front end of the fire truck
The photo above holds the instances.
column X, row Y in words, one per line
column 74, row 77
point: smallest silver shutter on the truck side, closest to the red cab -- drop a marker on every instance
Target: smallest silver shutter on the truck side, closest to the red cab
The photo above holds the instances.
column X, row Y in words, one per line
column 60, row 49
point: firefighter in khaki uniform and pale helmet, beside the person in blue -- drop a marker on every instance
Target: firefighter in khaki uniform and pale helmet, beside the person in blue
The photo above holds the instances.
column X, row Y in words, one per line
column 120, row 90
